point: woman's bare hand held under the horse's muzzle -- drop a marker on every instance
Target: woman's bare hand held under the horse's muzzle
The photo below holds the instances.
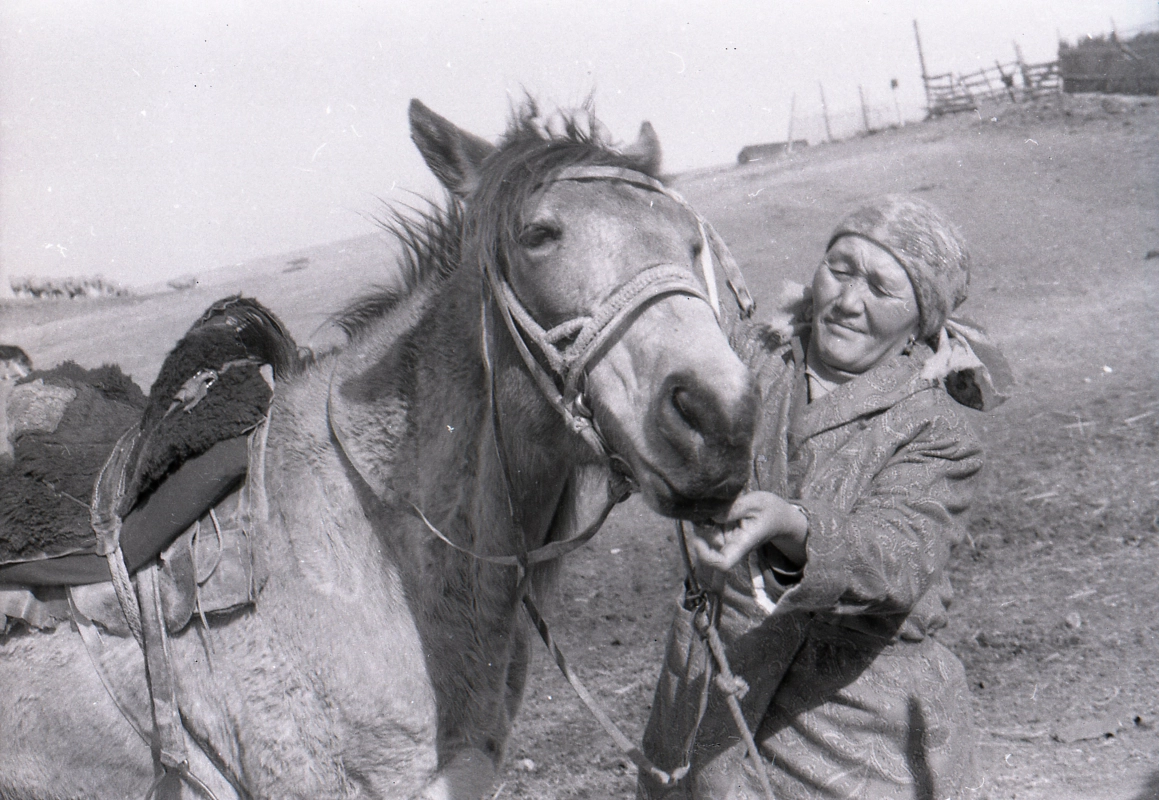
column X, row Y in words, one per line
column 755, row 519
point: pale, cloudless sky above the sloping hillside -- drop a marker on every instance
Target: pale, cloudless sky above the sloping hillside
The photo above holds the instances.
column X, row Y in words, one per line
column 145, row 141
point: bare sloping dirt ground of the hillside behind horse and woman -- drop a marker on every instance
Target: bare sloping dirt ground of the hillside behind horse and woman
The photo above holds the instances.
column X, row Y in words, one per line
column 1058, row 605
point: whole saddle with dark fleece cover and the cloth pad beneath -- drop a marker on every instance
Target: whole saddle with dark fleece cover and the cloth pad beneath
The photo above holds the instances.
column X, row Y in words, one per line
column 88, row 447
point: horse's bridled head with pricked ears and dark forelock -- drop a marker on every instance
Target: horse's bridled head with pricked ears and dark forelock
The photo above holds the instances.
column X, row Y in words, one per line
column 599, row 274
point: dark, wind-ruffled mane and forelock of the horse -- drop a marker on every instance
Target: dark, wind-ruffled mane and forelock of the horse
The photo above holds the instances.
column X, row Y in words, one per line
column 432, row 239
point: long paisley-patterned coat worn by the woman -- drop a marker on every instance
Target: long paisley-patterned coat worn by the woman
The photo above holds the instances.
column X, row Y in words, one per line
column 849, row 695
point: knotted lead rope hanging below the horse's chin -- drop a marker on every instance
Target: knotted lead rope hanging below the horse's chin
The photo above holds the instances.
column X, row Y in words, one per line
column 705, row 608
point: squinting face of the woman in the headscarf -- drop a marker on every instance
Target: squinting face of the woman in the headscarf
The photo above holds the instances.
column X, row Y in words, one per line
column 864, row 306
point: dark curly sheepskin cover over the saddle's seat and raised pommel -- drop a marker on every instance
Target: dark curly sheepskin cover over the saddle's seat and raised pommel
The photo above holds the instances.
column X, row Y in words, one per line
column 214, row 389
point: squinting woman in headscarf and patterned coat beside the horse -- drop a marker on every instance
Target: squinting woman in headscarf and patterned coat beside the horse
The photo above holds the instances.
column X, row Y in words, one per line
column 833, row 568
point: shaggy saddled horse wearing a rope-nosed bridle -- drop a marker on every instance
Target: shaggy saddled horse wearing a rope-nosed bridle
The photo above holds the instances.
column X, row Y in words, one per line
column 558, row 334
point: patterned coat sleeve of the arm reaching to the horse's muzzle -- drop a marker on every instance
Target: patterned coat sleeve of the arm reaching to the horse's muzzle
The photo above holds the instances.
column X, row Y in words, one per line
column 884, row 555
